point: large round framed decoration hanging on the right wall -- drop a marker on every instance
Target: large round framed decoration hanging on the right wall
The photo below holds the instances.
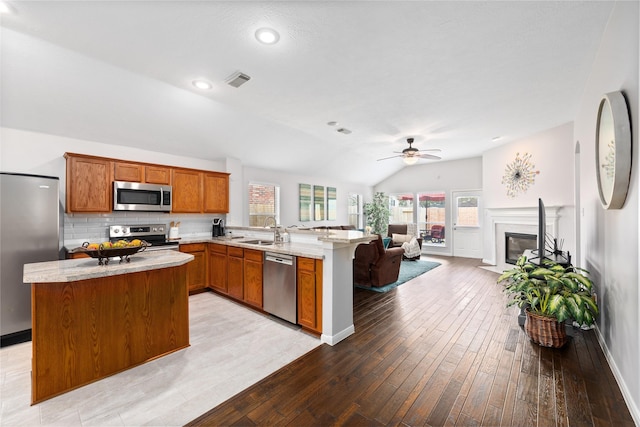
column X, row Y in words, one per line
column 613, row 150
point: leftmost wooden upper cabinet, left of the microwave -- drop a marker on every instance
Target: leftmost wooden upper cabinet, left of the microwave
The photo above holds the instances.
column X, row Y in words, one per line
column 89, row 187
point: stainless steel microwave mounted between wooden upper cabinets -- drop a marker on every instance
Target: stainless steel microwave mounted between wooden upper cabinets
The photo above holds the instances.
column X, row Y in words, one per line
column 134, row 196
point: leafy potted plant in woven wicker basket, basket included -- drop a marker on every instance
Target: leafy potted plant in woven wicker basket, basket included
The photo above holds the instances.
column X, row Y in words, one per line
column 551, row 294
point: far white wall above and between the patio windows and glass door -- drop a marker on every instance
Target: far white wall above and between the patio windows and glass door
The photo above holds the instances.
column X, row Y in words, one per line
column 446, row 176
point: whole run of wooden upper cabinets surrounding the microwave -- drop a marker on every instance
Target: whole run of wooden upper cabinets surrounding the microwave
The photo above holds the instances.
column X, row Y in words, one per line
column 90, row 184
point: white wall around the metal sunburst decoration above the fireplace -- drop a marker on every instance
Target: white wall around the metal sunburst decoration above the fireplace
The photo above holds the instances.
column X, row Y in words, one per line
column 552, row 152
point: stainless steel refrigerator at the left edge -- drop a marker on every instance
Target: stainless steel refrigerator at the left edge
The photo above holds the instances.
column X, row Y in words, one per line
column 29, row 232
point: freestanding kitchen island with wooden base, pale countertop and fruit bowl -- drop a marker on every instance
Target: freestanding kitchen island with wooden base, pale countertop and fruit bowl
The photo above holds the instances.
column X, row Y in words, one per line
column 90, row 321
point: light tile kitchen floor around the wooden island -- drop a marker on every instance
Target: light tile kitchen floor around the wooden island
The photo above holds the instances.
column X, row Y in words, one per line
column 232, row 347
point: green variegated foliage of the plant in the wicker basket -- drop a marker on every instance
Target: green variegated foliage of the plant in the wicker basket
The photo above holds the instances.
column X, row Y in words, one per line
column 551, row 290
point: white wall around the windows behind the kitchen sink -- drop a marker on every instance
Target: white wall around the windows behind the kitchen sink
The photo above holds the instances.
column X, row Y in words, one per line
column 289, row 195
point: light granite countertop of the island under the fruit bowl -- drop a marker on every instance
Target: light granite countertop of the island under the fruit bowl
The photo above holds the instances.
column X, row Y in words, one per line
column 72, row 270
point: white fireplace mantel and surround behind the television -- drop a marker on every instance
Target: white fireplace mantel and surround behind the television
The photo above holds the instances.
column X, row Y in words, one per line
column 523, row 219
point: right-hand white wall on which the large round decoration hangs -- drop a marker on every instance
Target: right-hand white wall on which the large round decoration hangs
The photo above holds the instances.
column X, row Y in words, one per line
column 609, row 239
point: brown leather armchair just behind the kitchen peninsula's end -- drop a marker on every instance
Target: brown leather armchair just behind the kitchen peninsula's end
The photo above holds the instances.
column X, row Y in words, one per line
column 375, row 266
